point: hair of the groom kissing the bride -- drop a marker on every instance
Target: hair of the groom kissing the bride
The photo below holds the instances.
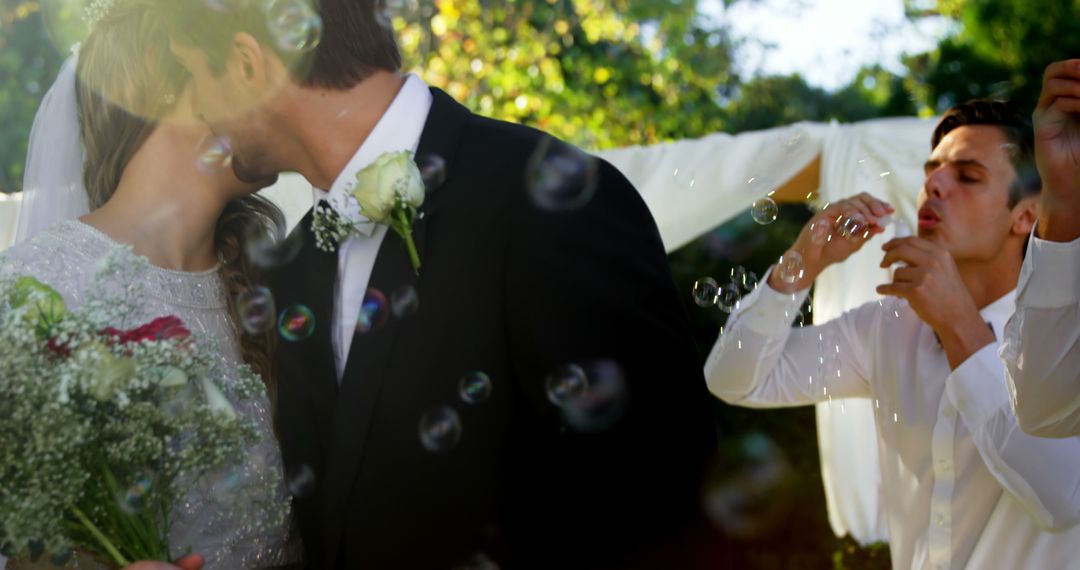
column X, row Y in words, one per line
column 356, row 40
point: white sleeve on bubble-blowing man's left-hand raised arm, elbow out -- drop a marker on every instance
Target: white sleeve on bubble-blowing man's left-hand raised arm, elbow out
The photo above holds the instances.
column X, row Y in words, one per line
column 762, row 362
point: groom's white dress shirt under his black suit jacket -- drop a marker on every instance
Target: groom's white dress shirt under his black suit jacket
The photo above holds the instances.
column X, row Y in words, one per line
column 400, row 129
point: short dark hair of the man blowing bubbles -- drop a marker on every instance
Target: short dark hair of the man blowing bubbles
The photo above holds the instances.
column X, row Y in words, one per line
column 1015, row 125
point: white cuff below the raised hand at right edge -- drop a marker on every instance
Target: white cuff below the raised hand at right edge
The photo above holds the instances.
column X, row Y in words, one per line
column 1050, row 277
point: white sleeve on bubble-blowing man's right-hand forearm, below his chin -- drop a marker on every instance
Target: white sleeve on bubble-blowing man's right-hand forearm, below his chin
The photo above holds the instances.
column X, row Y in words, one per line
column 1042, row 473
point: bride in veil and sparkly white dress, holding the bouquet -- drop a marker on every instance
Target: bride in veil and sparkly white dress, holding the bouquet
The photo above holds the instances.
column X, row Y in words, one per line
column 142, row 186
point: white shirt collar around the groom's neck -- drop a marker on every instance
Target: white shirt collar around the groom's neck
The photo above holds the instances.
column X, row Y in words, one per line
column 399, row 129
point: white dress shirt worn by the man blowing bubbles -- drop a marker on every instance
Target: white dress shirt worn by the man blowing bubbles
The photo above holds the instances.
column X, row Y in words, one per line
column 949, row 443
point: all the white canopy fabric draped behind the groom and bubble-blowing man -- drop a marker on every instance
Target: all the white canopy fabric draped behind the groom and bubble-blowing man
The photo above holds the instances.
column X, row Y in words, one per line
column 694, row 186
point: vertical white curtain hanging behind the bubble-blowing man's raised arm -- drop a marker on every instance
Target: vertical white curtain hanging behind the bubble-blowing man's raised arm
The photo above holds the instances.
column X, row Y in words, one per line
column 854, row 159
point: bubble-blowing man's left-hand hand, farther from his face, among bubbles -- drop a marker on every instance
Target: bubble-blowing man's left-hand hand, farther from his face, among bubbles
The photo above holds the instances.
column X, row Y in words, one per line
column 833, row 236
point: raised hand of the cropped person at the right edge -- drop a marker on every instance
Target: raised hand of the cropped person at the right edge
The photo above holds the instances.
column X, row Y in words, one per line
column 1057, row 123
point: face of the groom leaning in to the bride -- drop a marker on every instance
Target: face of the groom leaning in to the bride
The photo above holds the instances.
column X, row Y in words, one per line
column 235, row 108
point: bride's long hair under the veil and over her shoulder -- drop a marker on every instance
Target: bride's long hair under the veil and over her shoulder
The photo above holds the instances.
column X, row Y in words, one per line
column 128, row 78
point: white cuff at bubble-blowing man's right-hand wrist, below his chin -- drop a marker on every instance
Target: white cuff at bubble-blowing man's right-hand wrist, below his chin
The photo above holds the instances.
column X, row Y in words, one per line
column 977, row 389
